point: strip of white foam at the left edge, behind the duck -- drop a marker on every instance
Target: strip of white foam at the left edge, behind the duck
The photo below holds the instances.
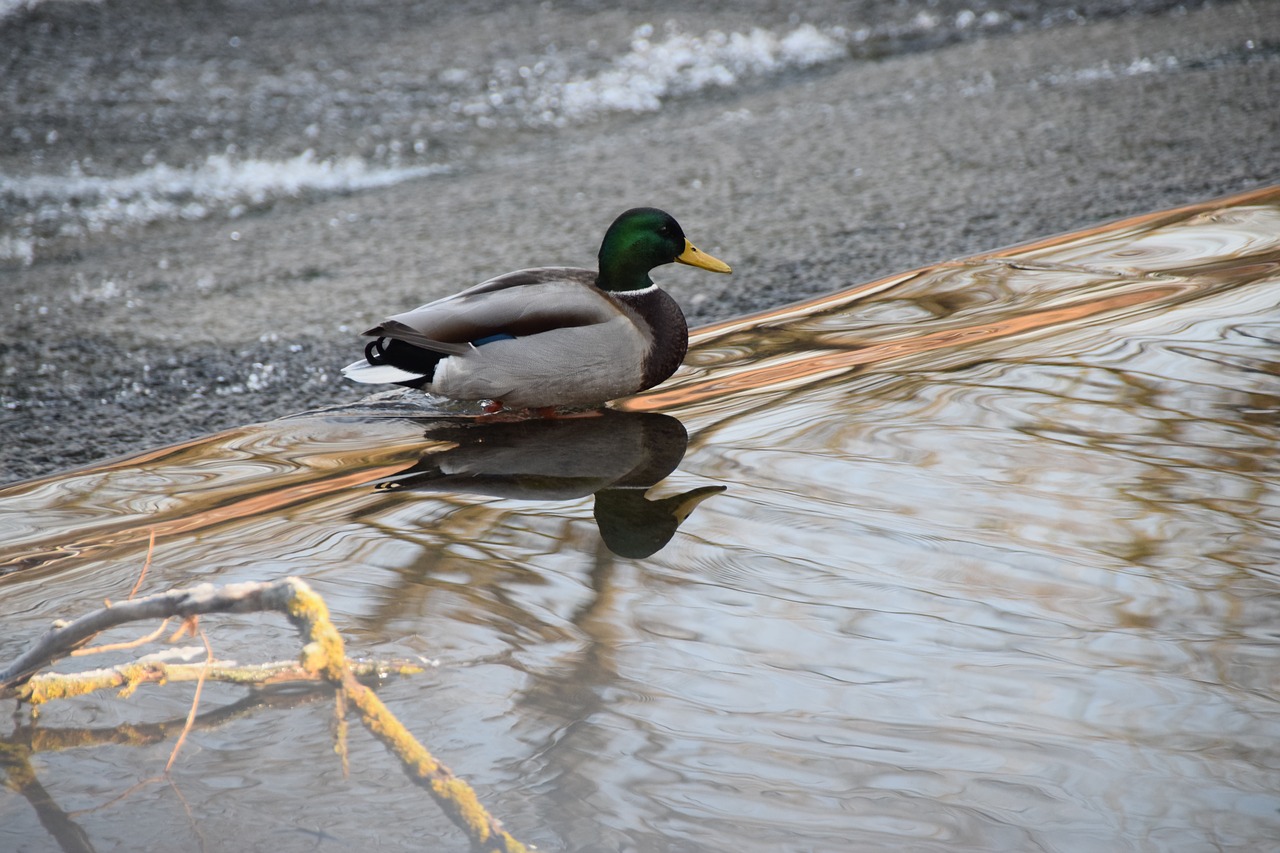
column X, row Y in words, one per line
column 79, row 204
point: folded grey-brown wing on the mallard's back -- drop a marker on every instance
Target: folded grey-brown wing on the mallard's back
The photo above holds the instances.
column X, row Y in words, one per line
column 518, row 305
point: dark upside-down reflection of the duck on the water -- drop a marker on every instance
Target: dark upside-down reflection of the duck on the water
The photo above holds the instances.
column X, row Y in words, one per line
column 616, row 457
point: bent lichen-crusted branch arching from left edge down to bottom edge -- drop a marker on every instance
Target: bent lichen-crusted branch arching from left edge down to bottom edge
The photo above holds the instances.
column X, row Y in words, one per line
column 323, row 655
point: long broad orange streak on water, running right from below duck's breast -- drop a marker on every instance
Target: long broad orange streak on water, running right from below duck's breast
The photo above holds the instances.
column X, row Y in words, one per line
column 815, row 367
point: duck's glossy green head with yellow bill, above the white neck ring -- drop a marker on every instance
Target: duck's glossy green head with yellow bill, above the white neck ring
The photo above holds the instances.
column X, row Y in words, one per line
column 641, row 240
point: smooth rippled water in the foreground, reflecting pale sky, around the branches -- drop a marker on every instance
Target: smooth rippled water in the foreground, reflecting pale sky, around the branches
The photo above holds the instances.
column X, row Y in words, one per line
column 994, row 568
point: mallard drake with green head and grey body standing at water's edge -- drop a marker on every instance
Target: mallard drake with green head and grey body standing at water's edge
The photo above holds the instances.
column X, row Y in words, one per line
column 551, row 336
